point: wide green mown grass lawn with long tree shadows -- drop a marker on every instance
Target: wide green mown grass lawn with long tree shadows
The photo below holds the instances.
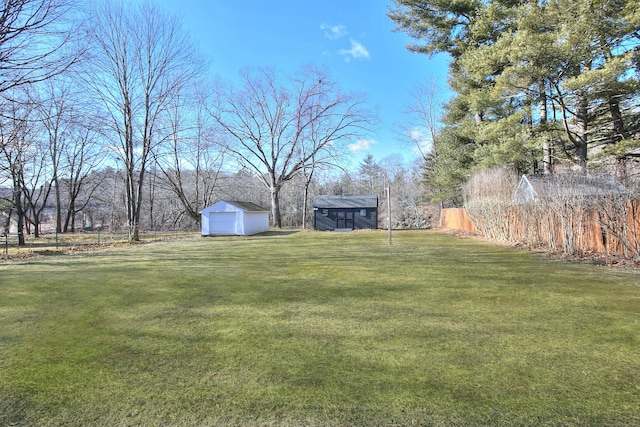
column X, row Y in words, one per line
column 317, row 329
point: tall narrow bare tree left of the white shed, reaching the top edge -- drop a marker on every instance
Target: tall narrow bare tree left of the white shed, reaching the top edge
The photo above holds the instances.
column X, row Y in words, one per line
column 143, row 60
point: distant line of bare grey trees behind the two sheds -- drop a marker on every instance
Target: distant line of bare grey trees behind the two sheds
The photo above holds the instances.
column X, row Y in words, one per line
column 99, row 203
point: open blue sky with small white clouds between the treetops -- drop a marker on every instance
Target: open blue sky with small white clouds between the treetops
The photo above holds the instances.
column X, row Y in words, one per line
column 352, row 39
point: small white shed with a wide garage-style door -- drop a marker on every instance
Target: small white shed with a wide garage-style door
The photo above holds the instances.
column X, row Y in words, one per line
column 234, row 218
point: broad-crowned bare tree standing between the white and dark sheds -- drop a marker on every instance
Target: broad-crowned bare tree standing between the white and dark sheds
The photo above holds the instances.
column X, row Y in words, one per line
column 268, row 121
